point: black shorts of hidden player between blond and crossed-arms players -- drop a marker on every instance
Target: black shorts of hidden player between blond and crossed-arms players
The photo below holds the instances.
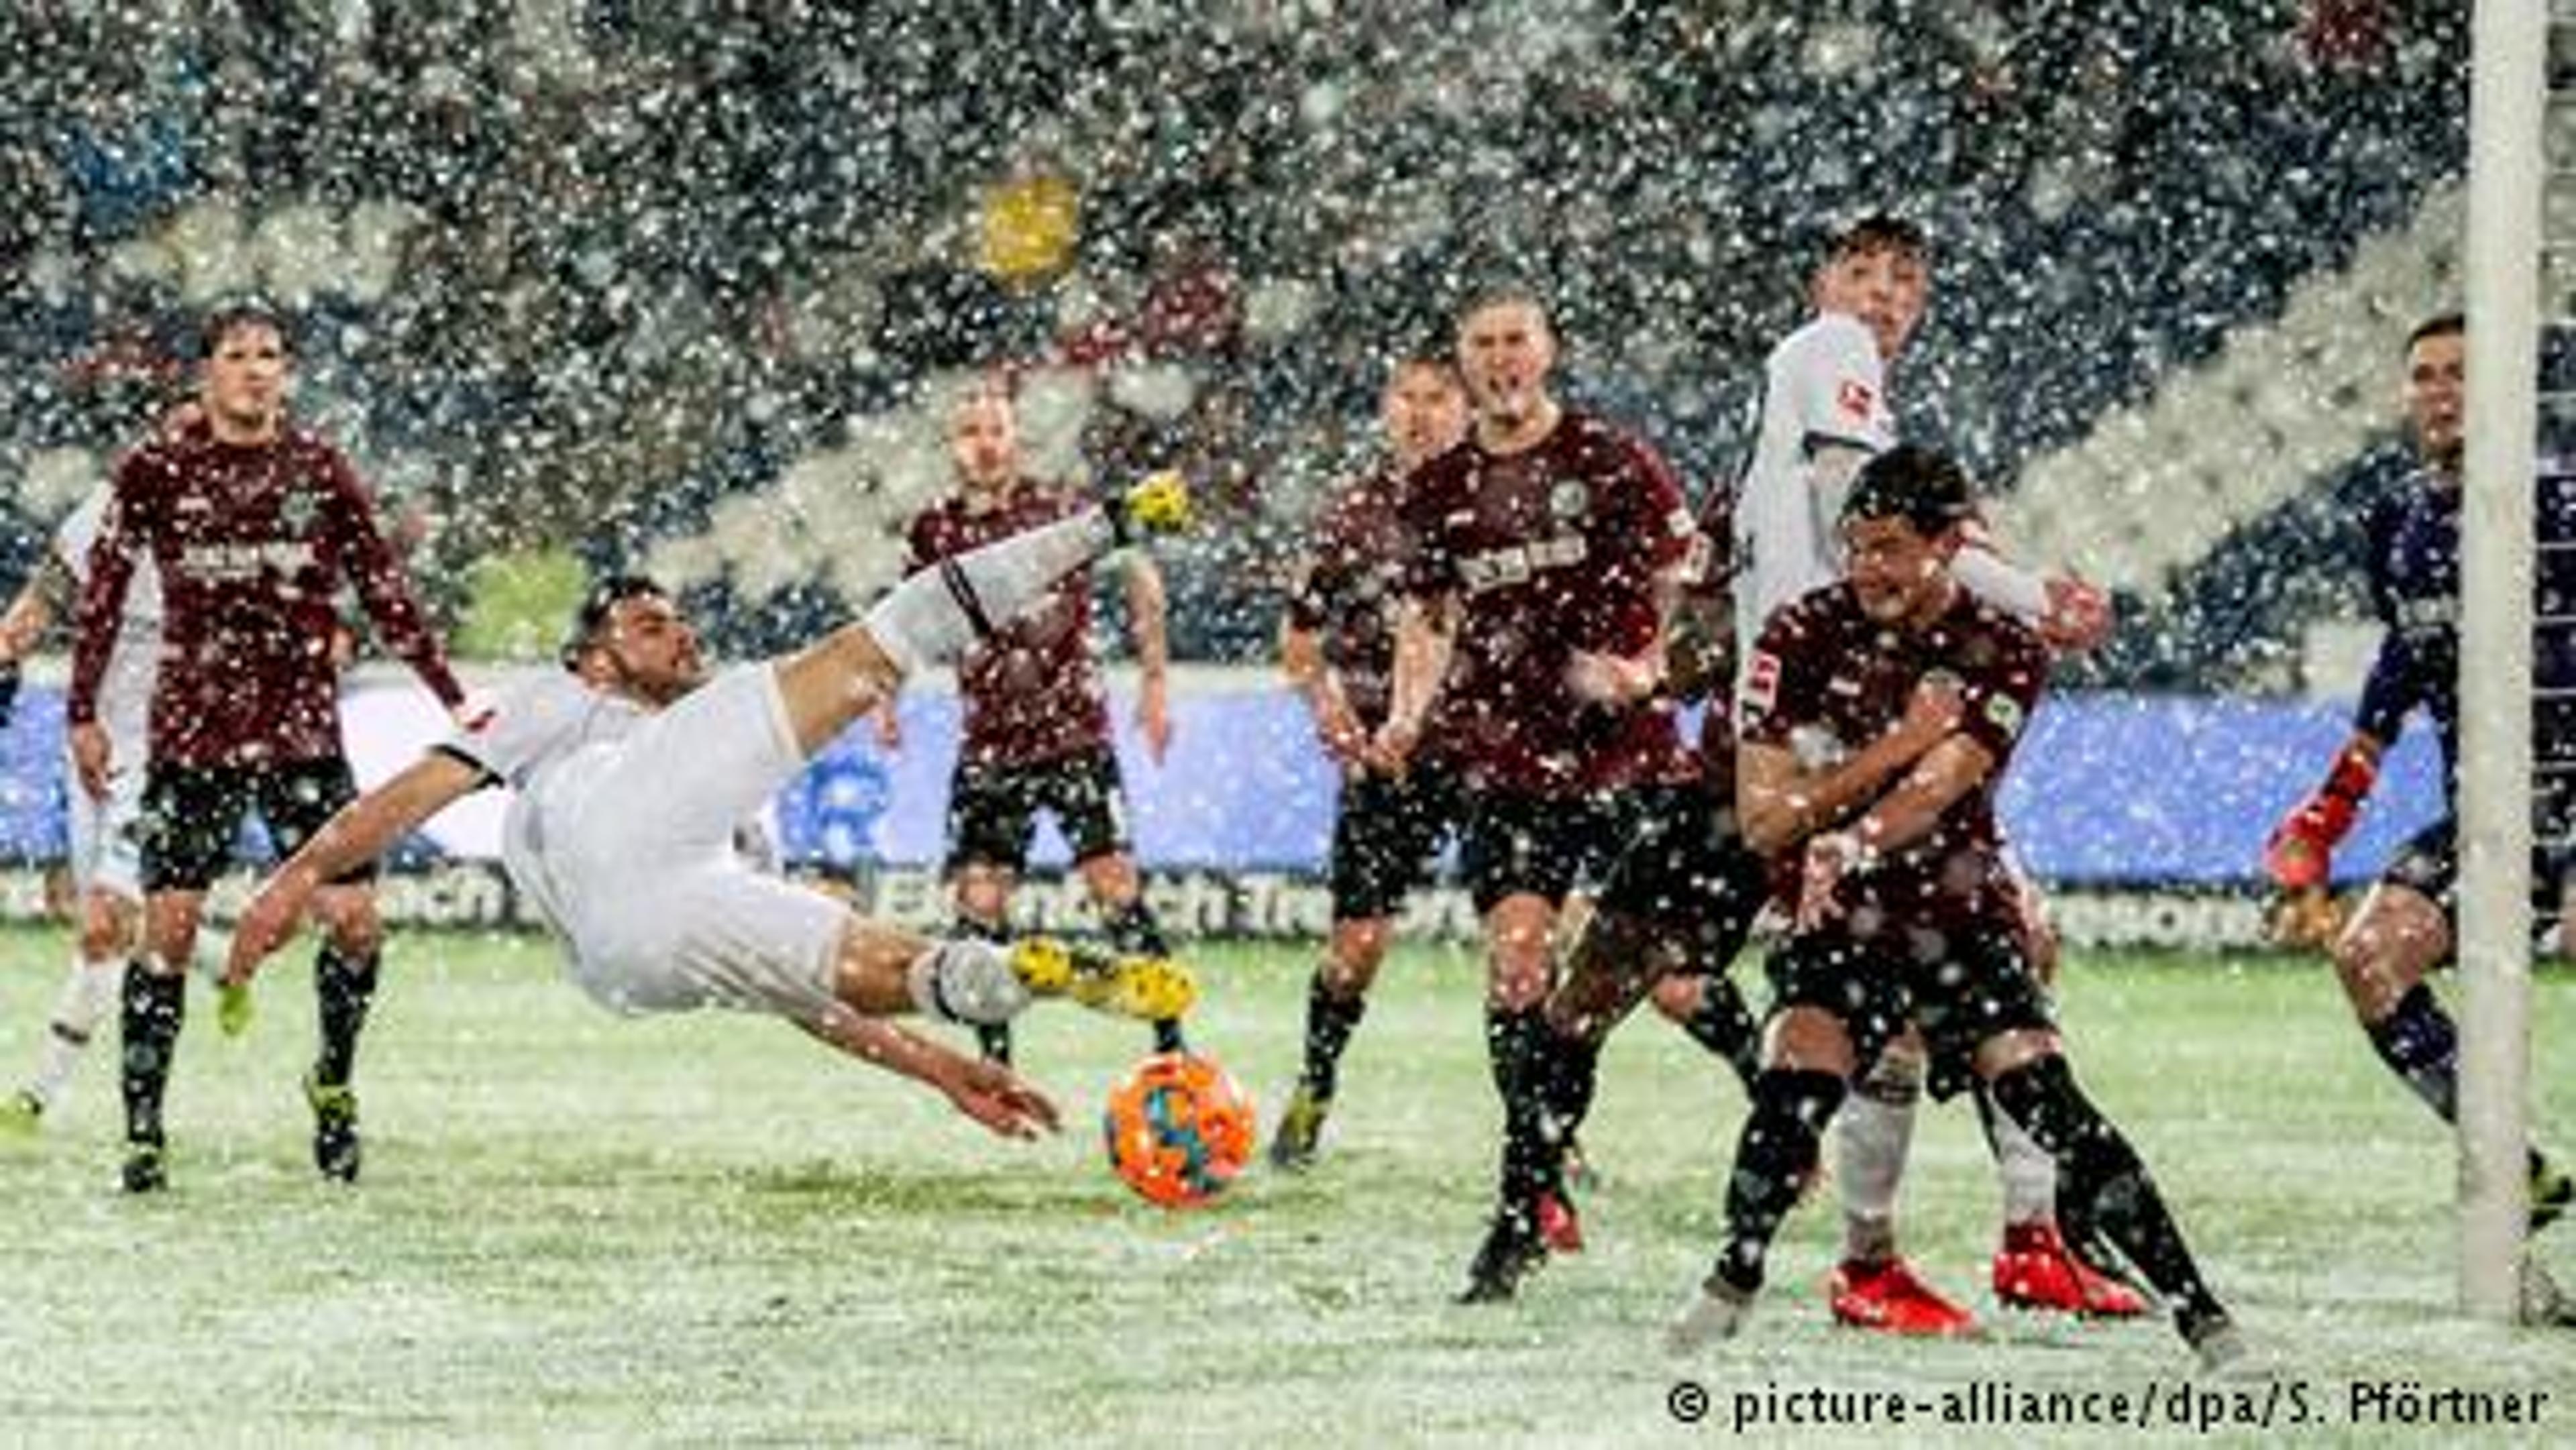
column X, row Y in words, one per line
column 1691, row 874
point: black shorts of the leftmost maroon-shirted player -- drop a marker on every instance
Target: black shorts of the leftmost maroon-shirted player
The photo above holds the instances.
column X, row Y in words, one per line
column 194, row 815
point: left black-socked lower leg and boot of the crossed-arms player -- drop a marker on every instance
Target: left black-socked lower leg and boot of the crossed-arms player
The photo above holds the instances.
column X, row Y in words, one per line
column 1776, row 1155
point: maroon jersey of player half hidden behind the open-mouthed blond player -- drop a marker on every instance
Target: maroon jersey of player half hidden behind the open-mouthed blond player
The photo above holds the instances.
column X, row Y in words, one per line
column 1349, row 588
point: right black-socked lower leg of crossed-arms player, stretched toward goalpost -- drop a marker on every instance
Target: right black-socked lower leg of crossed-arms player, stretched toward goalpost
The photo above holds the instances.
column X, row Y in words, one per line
column 2111, row 1189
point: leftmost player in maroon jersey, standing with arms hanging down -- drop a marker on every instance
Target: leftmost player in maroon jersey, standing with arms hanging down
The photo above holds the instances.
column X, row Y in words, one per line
column 254, row 527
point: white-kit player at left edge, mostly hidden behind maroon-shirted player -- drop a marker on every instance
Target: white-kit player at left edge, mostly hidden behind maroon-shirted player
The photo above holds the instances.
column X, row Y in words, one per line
column 107, row 859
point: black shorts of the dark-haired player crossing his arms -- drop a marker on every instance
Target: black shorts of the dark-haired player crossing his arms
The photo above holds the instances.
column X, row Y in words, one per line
column 1962, row 998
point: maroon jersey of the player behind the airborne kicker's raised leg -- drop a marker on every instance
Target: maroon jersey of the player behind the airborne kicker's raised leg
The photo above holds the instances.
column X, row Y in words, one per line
column 1032, row 692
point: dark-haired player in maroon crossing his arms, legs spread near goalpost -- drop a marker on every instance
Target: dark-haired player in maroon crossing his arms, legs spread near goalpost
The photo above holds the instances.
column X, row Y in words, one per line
column 1877, row 722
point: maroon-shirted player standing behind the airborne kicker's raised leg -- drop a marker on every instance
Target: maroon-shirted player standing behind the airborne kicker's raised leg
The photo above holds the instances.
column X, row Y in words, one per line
column 1037, row 715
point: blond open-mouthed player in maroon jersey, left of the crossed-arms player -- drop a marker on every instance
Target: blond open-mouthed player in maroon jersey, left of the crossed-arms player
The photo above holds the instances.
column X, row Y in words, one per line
column 1547, row 552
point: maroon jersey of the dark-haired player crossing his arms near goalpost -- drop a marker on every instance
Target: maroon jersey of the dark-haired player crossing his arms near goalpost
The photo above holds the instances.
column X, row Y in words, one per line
column 1828, row 679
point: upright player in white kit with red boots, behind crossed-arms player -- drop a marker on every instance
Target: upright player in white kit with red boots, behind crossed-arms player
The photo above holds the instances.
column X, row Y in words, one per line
column 1825, row 413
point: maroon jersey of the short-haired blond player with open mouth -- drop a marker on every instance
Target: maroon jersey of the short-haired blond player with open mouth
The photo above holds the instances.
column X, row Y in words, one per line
column 1552, row 550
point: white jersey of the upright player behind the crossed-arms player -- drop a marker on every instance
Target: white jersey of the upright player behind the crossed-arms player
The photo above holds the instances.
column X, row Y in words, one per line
column 1823, row 388
